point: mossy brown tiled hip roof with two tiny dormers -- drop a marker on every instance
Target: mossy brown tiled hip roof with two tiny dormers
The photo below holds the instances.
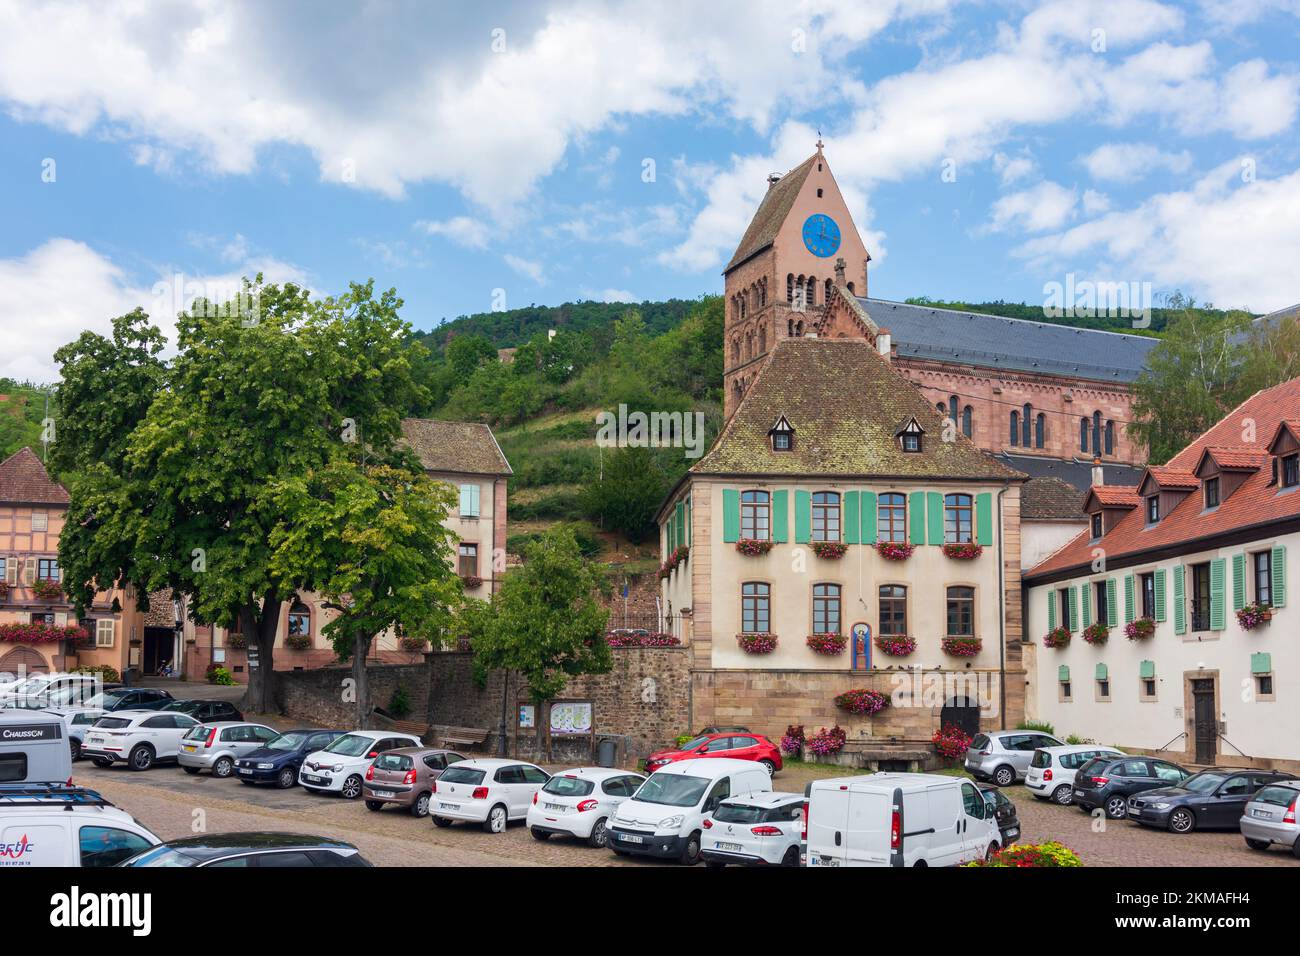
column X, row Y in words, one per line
column 846, row 404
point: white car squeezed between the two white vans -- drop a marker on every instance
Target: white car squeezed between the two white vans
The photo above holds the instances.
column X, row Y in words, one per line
column 756, row 830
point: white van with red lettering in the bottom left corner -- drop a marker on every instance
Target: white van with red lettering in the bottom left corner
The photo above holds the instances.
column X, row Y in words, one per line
column 54, row 825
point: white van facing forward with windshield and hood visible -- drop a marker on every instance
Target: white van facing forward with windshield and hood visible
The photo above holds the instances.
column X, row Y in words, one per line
column 665, row 817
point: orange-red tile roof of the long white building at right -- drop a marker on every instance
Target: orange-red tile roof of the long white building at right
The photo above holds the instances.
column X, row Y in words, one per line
column 1254, row 503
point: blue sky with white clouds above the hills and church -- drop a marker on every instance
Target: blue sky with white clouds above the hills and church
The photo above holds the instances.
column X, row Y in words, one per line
column 505, row 154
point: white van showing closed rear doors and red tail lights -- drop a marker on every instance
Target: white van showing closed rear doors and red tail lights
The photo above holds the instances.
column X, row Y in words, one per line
column 898, row 820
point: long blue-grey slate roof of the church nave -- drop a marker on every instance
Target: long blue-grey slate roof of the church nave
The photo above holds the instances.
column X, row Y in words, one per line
column 990, row 341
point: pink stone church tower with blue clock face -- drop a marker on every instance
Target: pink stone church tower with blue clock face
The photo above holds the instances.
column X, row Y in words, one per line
column 787, row 269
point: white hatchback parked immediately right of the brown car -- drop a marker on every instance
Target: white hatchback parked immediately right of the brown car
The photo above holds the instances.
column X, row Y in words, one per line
column 489, row 793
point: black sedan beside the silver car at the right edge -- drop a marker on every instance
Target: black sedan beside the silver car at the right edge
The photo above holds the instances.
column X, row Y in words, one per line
column 1210, row 801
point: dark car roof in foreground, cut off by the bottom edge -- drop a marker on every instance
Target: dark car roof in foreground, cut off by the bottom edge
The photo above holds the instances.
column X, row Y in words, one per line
column 259, row 850
